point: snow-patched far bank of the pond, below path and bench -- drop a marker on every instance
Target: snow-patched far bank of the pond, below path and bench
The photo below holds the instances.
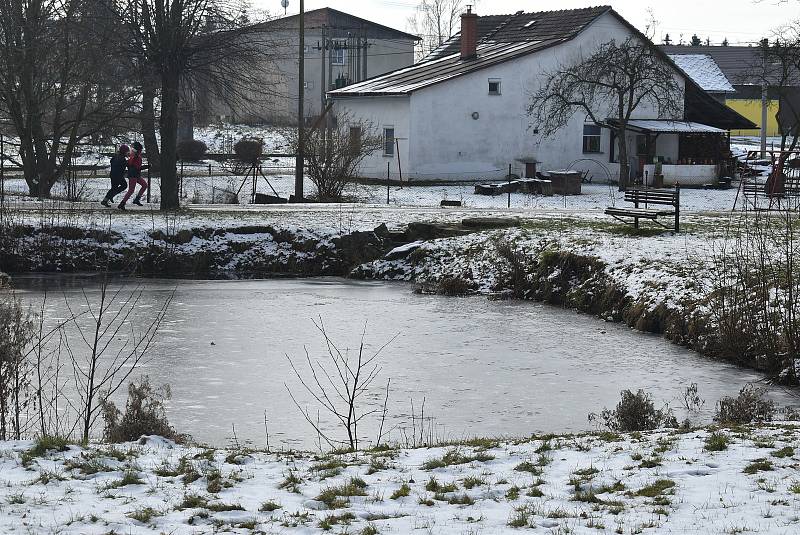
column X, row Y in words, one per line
column 656, row 282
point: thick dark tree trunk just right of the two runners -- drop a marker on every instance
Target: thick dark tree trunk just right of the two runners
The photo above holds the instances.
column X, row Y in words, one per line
column 170, row 99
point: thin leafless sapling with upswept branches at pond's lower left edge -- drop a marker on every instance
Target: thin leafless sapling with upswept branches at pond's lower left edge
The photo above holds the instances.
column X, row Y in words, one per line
column 101, row 363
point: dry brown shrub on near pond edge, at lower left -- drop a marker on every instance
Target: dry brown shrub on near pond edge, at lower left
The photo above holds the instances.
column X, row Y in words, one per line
column 144, row 414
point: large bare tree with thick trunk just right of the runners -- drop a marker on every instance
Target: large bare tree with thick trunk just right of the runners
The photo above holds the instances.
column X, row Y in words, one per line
column 191, row 43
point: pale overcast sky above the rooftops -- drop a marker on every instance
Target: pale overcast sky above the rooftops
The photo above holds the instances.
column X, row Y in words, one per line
column 740, row 21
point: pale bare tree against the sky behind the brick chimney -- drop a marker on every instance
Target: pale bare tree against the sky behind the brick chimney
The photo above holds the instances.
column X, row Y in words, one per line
column 436, row 21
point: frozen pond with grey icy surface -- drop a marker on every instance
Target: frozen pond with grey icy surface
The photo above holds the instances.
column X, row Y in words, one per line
column 484, row 368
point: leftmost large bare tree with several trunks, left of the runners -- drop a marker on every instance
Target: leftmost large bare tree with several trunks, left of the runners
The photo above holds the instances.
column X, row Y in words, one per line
column 57, row 85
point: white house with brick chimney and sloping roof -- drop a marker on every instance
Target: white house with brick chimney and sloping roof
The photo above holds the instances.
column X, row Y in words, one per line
column 461, row 113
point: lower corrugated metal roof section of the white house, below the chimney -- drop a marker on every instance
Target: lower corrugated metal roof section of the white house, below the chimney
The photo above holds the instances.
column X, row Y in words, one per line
column 427, row 73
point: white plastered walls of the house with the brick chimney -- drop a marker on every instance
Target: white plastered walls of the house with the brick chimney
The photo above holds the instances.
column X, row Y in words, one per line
column 445, row 141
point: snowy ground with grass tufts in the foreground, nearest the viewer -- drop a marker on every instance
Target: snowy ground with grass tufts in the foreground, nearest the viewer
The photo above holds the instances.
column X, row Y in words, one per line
column 659, row 482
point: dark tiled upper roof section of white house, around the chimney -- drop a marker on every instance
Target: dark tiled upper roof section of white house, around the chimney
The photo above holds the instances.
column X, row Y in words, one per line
column 526, row 27
